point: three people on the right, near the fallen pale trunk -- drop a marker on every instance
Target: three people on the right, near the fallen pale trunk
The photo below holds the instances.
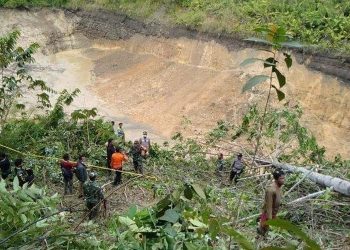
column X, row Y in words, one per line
column 273, row 194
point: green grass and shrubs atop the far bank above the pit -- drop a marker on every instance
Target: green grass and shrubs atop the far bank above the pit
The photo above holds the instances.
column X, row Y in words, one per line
column 323, row 24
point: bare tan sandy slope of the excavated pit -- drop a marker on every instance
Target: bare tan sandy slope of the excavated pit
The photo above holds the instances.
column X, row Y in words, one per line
column 165, row 85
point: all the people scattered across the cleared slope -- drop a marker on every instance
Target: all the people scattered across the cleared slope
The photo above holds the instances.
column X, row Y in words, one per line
column 93, row 193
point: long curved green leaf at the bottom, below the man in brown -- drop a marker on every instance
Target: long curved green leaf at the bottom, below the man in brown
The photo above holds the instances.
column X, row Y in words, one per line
column 294, row 230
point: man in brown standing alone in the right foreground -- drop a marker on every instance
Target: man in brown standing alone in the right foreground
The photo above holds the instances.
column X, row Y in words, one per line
column 272, row 201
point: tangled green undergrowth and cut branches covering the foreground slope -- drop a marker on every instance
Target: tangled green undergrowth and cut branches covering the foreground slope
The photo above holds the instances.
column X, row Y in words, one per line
column 192, row 206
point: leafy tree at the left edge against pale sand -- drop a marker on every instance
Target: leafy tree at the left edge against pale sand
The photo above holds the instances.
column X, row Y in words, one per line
column 15, row 77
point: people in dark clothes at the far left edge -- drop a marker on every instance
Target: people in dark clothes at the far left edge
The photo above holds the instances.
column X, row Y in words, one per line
column 24, row 175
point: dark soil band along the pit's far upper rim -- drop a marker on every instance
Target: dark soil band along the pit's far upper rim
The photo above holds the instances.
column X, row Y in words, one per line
column 112, row 26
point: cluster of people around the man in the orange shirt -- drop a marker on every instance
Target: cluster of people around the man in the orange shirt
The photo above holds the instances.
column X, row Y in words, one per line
column 89, row 189
